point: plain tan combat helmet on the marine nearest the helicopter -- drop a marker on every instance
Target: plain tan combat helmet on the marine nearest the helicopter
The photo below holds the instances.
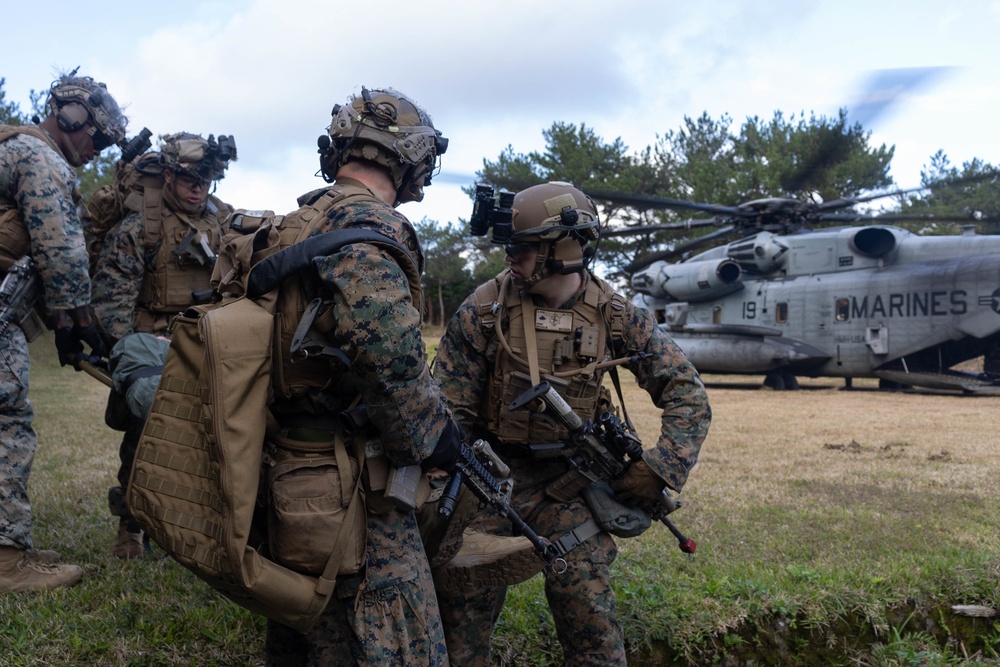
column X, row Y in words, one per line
column 561, row 220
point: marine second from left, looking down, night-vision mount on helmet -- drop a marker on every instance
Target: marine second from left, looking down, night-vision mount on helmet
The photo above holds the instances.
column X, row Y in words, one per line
column 155, row 263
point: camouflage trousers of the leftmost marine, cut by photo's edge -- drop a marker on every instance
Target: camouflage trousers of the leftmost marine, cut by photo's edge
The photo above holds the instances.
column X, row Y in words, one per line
column 17, row 440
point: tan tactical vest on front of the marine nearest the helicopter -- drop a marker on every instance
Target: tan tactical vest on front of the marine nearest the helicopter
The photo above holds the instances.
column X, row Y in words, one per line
column 568, row 348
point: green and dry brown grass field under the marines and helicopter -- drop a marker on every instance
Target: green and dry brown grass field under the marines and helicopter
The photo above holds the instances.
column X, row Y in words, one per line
column 833, row 527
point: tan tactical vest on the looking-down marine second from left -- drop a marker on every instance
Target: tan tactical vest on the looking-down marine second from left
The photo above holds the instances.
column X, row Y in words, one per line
column 179, row 243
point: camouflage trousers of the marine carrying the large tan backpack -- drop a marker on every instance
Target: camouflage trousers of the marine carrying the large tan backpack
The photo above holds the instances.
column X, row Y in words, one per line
column 387, row 615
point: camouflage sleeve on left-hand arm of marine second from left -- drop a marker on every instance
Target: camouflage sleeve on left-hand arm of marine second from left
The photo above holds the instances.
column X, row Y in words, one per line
column 118, row 277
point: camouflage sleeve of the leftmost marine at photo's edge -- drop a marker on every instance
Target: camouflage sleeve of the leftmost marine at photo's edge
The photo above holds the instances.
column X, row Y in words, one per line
column 45, row 199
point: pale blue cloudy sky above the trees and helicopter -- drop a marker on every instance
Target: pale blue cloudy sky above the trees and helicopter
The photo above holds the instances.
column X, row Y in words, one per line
column 495, row 74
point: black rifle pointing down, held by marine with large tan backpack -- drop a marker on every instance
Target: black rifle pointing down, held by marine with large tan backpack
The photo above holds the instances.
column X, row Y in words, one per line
column 475, row 475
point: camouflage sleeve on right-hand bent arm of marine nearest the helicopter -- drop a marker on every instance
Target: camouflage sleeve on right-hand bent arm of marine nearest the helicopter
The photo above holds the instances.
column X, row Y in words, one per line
column 676, row 388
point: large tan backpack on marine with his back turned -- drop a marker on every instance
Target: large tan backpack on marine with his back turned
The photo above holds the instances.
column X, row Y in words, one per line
column 197, row 478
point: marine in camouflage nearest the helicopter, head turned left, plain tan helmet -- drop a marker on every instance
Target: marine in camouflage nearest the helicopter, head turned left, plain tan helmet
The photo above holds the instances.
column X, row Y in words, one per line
column 551, row 223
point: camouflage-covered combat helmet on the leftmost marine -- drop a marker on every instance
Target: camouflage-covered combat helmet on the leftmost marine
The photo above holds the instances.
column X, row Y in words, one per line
column 76, row 101
